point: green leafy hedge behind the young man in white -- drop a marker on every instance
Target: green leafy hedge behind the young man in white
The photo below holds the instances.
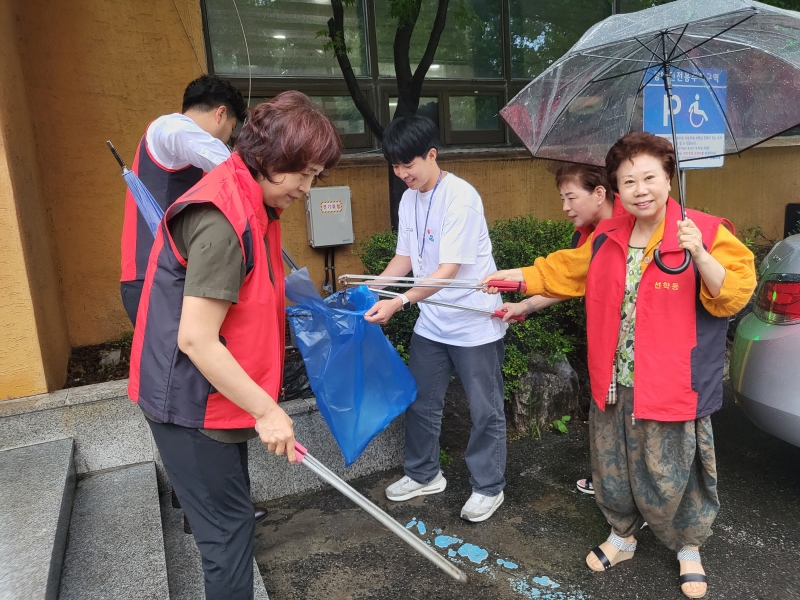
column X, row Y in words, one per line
column 553, row 332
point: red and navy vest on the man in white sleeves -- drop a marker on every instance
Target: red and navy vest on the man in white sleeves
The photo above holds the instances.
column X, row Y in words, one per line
column 166, row 186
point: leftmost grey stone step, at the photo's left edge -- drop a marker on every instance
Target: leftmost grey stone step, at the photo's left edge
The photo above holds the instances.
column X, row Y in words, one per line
column 37, row 484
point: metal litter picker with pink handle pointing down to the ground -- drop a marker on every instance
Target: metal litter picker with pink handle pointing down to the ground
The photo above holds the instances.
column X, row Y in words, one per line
column 304, row 458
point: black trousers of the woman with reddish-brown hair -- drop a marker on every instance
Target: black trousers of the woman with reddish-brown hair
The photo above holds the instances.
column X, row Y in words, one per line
column 211, row 481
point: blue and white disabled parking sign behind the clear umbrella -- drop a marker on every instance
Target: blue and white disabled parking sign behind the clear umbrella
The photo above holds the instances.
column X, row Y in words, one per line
column 698, row 110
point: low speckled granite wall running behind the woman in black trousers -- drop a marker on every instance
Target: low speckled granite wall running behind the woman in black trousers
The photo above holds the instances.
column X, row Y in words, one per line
column 110, row 432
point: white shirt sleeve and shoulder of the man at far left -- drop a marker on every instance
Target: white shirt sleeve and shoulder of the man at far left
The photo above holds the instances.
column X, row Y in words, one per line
column 176, row 142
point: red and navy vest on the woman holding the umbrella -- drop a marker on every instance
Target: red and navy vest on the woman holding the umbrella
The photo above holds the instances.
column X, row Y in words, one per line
column 679, row 347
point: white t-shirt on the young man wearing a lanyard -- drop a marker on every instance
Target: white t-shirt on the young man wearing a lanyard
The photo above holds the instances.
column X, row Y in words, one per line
column 456, row 232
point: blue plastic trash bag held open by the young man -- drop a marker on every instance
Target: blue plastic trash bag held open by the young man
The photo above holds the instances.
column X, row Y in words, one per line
column 360, row 381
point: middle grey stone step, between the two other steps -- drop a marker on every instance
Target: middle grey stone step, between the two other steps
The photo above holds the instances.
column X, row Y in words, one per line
column 115, row 547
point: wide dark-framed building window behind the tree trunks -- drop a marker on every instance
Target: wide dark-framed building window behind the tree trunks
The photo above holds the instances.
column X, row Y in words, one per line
column 489, row 51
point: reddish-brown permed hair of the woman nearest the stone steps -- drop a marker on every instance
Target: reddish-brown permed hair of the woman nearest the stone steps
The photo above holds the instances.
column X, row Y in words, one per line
column 287, row 134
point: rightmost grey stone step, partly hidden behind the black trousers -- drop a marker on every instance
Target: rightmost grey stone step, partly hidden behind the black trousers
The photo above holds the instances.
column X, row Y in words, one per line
column 184, row 567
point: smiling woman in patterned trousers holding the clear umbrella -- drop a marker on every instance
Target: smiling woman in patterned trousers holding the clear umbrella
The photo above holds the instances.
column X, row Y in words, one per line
column 652, row 448
